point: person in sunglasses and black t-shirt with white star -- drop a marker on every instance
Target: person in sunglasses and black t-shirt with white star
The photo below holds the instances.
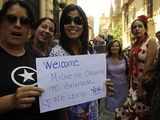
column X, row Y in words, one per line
column 18, row 85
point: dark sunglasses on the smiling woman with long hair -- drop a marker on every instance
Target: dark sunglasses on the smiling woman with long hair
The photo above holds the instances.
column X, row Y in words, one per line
column 77, row 20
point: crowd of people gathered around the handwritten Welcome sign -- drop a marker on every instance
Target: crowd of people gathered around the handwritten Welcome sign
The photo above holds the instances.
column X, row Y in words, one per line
column 132, row 80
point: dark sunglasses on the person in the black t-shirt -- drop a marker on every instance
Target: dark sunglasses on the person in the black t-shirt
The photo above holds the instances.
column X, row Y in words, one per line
column 13, row 19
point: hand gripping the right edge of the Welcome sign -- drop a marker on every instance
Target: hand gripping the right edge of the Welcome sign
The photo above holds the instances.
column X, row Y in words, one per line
column 109, row 86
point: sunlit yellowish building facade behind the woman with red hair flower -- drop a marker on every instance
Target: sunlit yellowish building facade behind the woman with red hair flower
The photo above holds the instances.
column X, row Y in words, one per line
column 133, row 8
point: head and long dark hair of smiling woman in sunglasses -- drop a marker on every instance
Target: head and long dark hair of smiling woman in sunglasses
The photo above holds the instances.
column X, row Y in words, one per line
column 69, row 31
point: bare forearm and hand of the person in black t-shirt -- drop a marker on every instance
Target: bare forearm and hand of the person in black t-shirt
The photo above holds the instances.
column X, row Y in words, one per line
column 23, row 98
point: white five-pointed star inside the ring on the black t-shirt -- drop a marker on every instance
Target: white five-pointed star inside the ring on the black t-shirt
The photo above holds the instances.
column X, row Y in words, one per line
column 27, row 76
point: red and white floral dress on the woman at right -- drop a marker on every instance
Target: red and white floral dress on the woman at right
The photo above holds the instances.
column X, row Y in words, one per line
column 136, row 106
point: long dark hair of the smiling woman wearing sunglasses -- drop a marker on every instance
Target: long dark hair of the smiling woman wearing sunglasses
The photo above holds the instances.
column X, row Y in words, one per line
column 64, row 40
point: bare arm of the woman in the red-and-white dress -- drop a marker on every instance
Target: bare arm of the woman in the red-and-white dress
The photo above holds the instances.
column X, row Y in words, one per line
column 150, row 73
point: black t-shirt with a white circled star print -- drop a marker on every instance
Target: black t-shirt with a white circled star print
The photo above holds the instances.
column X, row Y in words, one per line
column 15, row 72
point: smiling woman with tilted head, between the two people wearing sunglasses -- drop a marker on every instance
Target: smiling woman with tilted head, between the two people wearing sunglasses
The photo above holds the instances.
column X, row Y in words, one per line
column 43, row 37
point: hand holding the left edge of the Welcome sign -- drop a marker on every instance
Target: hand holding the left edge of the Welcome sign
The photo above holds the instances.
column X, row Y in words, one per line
column 25, row 96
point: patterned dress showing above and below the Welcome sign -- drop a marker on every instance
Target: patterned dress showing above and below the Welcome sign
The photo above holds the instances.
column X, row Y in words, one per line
column 88, row 110
